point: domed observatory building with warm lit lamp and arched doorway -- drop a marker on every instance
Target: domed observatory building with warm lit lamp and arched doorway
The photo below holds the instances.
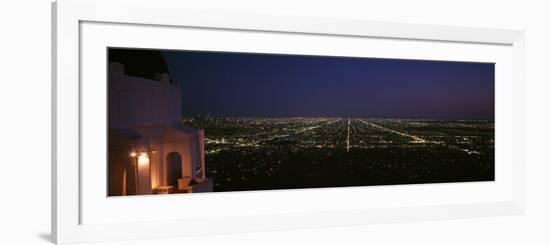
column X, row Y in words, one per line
column 150, row 150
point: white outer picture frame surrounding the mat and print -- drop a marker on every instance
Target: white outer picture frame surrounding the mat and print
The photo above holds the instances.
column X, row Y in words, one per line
column 68, row 18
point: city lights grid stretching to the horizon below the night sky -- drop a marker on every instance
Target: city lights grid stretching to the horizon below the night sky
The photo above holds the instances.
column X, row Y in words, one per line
column 279, row 153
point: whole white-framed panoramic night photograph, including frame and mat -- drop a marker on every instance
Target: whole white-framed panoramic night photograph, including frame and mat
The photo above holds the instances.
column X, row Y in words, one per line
column 177, row 122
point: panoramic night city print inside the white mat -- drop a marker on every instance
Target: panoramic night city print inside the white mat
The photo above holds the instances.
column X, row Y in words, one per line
column 204, row 121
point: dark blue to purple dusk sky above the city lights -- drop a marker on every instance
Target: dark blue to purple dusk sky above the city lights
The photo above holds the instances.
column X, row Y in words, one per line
column 266, row 85
